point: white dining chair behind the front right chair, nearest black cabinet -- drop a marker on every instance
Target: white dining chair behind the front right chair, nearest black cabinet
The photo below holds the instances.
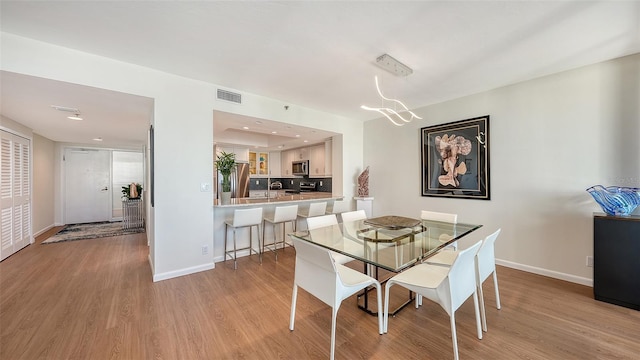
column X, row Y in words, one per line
column 485, row 266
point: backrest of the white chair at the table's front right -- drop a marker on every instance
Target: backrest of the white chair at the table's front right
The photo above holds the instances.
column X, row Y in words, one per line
column 461, row 281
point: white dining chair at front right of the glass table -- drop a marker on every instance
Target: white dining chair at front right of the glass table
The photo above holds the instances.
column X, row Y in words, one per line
column 449, row 287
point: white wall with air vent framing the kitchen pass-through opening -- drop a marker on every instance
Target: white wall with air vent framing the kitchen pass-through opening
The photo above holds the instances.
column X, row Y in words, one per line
column 182, row 220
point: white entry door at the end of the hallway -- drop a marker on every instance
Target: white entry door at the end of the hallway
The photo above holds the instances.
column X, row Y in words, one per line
column 87, row 185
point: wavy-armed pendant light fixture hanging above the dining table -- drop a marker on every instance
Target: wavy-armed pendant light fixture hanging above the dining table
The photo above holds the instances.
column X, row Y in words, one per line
column 403, row 115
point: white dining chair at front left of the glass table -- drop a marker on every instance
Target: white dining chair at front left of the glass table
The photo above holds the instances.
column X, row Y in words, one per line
column 317, row 273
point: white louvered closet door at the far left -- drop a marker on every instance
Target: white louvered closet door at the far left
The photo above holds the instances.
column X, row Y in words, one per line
column 15, row 194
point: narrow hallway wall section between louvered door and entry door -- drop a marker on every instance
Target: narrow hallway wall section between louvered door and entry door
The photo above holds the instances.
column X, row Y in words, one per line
column 43, row 184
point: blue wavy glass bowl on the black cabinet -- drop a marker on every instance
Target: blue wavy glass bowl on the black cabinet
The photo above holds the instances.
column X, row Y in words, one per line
column 616, row 200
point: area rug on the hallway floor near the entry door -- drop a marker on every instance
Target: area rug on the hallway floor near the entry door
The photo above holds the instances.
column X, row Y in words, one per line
column 91, row 231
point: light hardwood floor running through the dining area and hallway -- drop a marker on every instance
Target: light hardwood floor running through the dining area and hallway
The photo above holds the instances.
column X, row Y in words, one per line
column 95, row 299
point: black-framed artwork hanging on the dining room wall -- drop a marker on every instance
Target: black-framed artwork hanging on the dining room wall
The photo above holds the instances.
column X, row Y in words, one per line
column 455, row 159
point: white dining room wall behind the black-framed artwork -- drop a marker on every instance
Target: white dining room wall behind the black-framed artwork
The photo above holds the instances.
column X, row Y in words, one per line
column 551, row 138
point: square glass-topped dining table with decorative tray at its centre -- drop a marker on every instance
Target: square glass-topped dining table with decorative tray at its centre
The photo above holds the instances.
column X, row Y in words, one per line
column 392, row 243
